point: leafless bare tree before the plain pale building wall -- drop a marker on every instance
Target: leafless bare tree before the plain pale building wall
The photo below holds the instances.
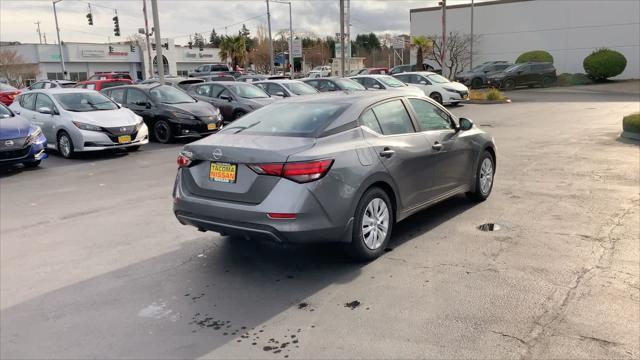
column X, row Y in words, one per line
column 457, row 52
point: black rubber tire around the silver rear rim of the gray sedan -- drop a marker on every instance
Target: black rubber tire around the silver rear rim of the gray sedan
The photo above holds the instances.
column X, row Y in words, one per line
column 358, row 248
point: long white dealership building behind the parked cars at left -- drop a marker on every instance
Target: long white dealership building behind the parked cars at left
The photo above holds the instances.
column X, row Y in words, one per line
column 84, row 59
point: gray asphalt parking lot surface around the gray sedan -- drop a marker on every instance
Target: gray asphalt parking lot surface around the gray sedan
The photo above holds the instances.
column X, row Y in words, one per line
column 94, row 264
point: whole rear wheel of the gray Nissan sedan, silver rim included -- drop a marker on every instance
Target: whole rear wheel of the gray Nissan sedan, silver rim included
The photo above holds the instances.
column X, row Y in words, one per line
column 372, row 226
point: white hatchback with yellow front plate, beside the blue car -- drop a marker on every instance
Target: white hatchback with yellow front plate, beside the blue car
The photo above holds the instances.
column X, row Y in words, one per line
column 75, row 120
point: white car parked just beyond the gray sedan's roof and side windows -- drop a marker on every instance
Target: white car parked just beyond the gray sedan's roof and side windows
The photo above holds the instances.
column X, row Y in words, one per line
column 436, row 86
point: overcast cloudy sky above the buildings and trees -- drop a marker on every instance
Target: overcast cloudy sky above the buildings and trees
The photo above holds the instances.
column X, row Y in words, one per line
column 179, row 18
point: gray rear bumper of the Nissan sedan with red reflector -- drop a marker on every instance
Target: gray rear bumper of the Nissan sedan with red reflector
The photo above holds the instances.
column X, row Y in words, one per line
column 312, row 223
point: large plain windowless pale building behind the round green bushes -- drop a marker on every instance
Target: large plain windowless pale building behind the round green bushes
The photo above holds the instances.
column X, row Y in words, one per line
column 568, row 29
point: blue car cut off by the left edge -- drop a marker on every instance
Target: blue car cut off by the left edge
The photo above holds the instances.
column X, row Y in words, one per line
column 20, row 141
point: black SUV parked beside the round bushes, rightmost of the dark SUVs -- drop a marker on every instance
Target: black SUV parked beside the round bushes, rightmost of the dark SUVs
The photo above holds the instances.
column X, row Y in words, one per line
column 526, row 74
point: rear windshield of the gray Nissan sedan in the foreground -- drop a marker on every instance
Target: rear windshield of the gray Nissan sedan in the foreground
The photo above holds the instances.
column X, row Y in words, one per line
column 287, row 119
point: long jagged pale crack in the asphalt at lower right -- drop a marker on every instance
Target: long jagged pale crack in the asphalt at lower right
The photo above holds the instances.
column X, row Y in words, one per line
column 539, row 328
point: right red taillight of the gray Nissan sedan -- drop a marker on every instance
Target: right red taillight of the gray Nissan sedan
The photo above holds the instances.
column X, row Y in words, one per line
column 301, row 172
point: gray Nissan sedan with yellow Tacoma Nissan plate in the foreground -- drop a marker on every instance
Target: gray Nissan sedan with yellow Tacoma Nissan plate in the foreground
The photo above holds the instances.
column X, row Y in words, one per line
column 341, row 167
